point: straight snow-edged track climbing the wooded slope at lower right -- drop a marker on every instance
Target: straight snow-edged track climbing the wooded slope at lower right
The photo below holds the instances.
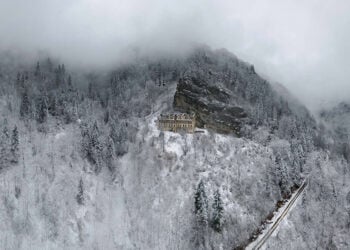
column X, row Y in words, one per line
column 260, row 241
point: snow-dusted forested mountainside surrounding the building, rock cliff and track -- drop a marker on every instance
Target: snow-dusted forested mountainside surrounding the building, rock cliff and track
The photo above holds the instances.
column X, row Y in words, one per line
column 84, row 166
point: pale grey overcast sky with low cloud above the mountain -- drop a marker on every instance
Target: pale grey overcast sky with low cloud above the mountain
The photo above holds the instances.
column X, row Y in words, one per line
column 304, row 44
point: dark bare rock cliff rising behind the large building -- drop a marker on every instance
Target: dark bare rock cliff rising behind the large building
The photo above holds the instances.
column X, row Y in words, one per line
column 211, row 104
